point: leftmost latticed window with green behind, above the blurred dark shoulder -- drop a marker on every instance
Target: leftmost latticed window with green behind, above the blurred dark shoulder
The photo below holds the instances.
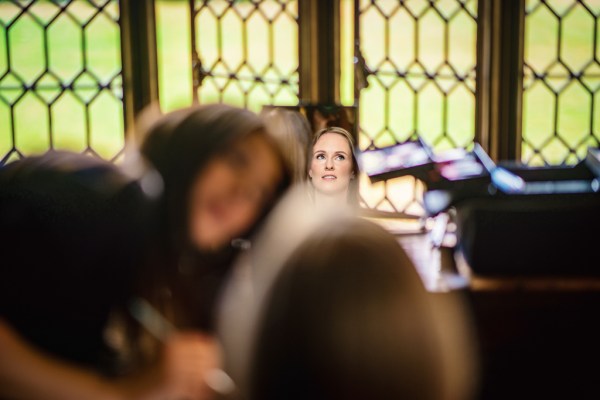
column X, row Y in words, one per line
column 60, row 78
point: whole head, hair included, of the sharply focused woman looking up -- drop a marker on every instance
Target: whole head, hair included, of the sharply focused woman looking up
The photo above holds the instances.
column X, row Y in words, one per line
column 333, row 169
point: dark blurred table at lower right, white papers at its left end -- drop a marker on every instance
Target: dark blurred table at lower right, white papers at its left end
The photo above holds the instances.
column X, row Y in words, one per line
column 538, row 336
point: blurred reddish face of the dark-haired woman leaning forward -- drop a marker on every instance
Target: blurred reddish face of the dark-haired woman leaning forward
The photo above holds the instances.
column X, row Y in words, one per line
column 232, row 190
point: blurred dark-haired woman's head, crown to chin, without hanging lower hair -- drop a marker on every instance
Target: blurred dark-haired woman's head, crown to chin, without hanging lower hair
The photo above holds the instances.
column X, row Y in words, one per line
column 220, row 169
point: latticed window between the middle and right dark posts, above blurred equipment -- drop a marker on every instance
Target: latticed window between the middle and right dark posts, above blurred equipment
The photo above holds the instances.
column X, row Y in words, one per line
column 422, row 56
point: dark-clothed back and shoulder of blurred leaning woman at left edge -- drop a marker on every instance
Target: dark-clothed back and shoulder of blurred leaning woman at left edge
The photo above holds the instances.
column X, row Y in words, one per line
column 73, row 228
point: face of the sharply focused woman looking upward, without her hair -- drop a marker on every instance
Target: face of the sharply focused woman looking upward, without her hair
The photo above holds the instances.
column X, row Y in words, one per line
column 331, row 166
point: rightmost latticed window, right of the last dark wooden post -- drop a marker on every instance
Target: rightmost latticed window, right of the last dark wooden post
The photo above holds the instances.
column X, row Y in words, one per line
column 561, row 80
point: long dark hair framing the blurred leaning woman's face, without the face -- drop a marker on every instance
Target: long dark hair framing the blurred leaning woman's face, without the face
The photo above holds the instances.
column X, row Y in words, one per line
column 178, row 145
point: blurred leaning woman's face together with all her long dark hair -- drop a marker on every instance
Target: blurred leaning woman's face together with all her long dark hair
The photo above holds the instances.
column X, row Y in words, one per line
column 221, row 173
